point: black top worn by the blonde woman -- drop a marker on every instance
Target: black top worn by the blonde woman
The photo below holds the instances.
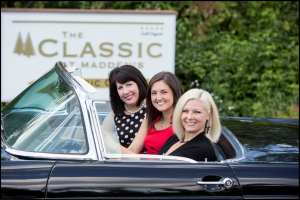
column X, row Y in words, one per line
column 198, row 148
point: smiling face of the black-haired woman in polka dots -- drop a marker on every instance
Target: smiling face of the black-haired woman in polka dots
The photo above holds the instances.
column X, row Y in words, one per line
column 128, row 92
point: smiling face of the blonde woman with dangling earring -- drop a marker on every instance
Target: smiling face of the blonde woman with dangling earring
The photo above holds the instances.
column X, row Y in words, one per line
column 194, row 116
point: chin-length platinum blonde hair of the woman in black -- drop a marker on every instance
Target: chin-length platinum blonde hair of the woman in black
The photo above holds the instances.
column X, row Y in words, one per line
column 210, row 106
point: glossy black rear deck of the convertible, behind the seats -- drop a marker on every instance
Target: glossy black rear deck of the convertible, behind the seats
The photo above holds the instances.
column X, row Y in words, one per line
column 265, row 140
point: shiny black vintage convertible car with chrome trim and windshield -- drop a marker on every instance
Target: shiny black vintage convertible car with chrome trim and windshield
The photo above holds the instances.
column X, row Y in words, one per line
column 53, row 146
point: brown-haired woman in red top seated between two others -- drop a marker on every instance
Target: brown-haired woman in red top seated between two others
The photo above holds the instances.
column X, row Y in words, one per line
column 162, row 95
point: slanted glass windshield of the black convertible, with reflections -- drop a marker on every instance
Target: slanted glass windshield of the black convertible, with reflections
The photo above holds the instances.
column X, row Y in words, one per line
column 45, row 117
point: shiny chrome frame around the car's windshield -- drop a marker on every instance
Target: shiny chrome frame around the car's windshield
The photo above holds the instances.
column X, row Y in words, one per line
column 82, row 97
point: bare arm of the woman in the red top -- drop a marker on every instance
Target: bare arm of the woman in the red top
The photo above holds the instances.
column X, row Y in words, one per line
column 139, row 141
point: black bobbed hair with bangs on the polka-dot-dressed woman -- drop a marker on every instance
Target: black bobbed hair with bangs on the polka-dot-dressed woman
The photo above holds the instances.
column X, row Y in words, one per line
column 122, row 75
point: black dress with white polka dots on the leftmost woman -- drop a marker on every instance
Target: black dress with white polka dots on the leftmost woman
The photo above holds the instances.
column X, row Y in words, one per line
column 128, row 126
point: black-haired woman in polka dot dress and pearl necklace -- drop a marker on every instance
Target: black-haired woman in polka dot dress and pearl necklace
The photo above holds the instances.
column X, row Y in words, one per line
column 127, row 90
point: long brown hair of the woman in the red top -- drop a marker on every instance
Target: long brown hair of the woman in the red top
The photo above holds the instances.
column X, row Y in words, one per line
column 172, row 81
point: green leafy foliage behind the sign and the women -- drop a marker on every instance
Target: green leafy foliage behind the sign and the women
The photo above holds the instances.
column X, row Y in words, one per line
column 246, row 53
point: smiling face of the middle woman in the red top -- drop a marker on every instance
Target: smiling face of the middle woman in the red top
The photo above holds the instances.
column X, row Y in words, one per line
column 162, row 96
